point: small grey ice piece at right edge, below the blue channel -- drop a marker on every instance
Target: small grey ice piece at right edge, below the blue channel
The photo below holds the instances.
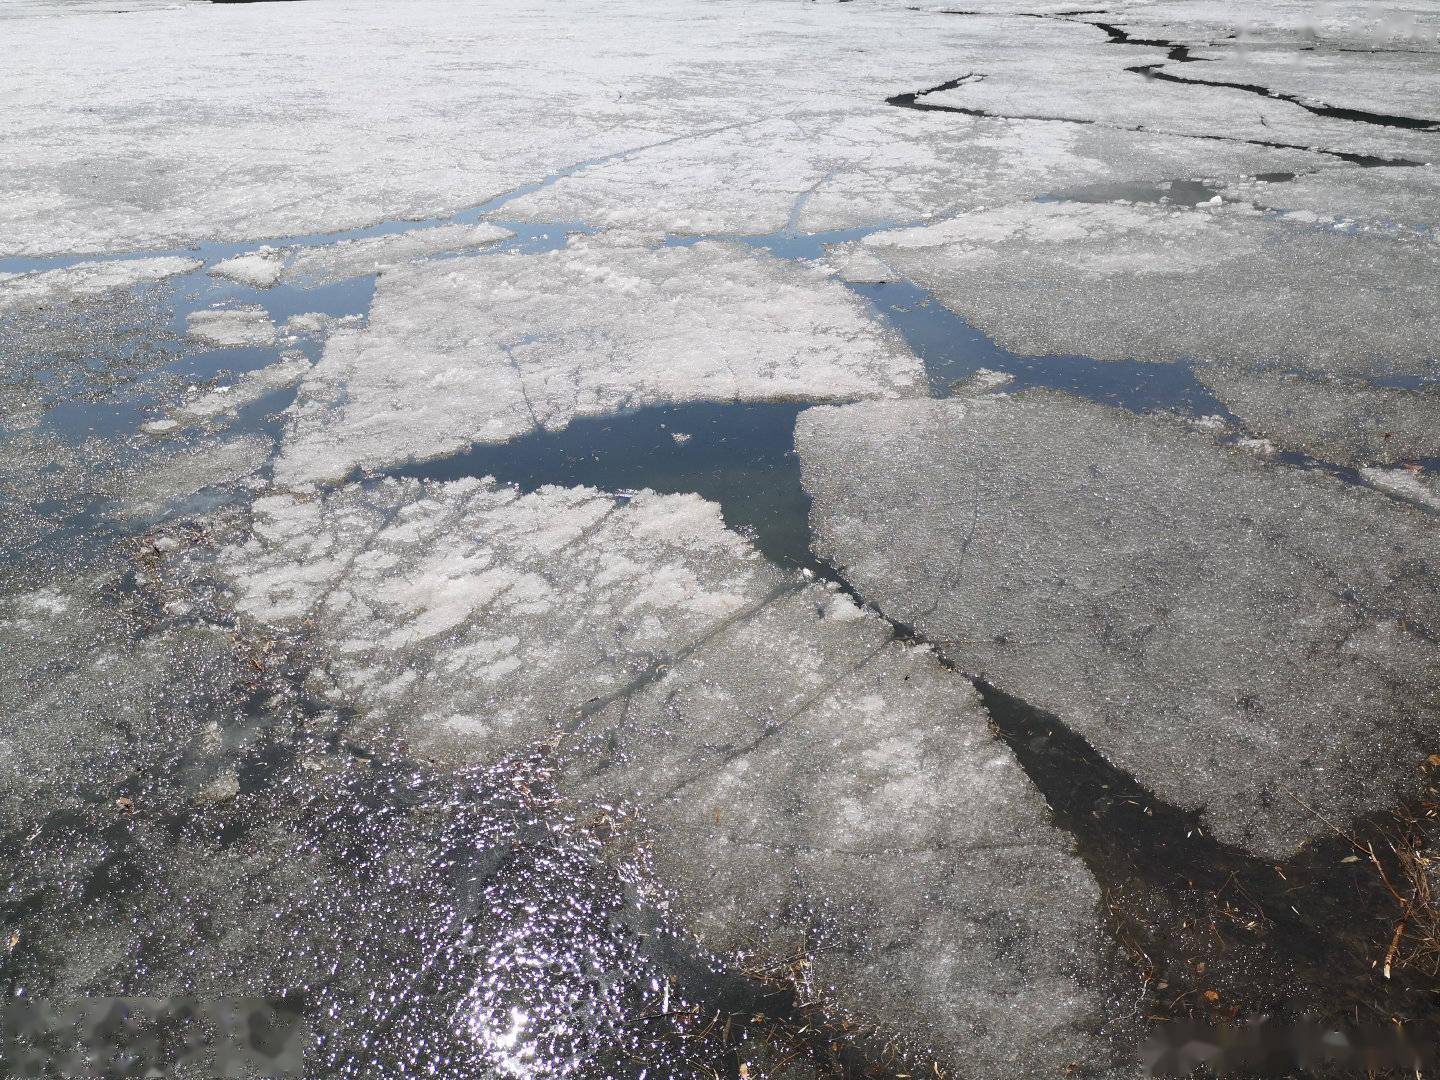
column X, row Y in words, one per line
column 1336, row 420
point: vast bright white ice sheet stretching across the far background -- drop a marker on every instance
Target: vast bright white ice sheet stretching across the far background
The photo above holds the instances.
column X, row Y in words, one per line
column 410, row 112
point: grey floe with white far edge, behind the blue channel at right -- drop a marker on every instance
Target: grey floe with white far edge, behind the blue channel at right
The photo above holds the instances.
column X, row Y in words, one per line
column 1151, row 283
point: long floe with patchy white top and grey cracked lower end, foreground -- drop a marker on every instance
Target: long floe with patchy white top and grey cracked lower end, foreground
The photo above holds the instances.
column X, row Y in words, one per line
column 804, row 777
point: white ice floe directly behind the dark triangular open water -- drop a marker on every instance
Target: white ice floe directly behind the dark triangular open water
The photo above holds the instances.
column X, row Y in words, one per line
column 487, row 349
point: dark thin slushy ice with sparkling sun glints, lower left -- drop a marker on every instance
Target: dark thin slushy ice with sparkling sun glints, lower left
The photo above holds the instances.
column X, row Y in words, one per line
column 159, row 846
